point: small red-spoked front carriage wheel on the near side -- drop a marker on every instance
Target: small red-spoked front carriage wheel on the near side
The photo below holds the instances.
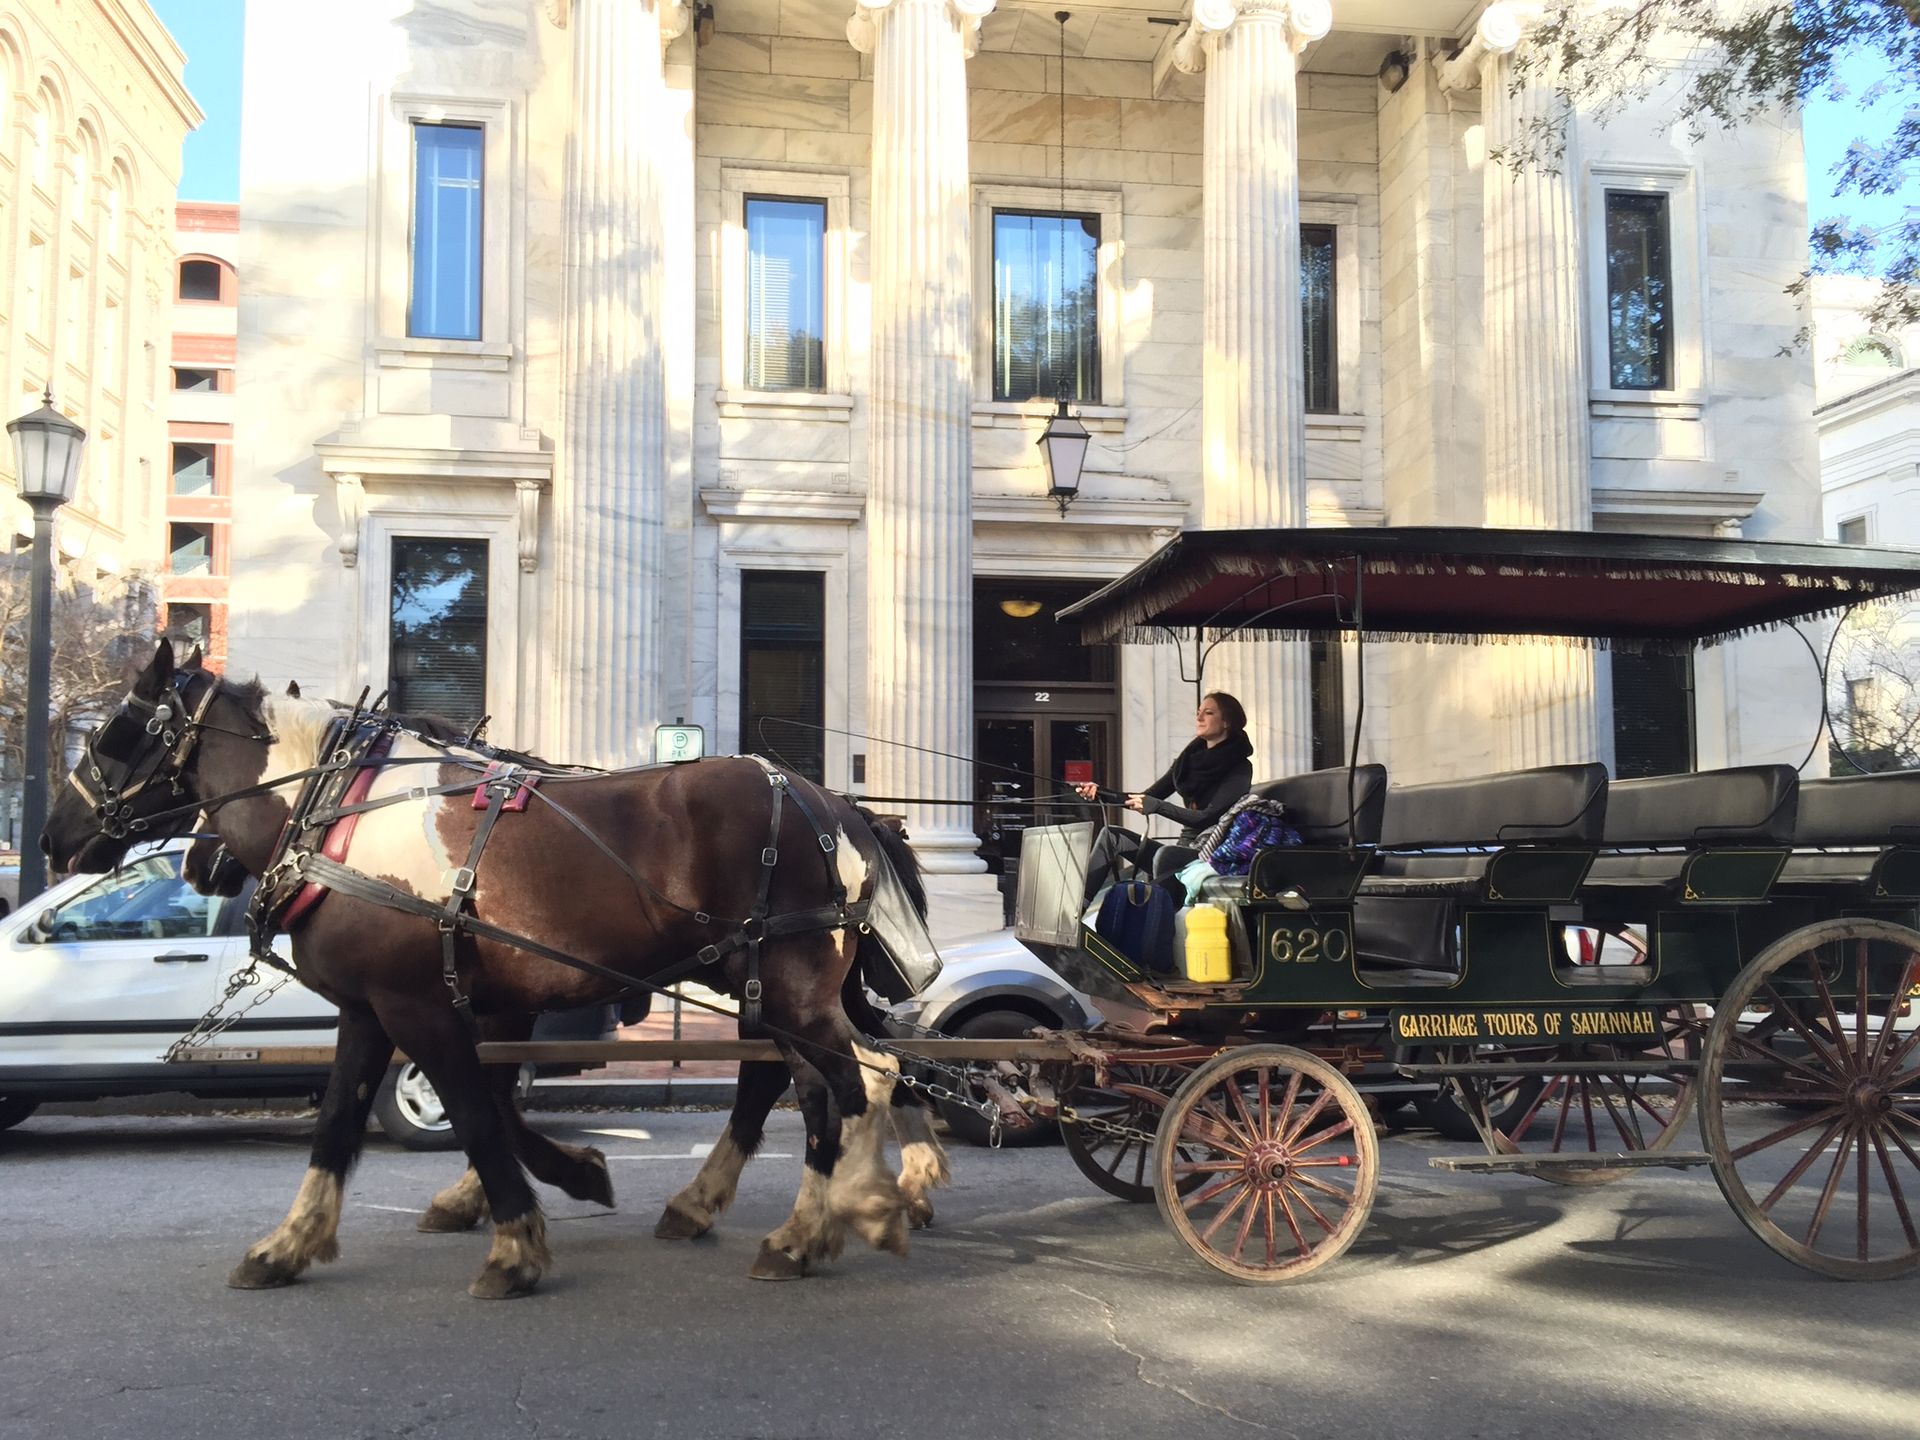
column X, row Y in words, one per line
column 1287, row 1163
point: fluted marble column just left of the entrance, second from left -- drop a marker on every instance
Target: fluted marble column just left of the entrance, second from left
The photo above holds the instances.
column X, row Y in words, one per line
column 921, row 423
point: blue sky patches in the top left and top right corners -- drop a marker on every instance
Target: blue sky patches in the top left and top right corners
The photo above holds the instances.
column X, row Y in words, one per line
column 210, row 36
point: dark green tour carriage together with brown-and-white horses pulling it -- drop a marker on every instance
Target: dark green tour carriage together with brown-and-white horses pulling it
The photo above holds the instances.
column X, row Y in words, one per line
column 1583, row 963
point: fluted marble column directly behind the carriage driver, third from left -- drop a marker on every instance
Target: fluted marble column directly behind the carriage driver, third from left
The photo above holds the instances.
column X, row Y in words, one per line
column 1255, row 435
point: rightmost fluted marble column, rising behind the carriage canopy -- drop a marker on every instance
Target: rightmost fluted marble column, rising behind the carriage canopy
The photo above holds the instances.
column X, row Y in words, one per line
column 1539, row 452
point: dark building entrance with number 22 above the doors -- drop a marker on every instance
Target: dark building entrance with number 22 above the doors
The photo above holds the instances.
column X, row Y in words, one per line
column 1045, row 711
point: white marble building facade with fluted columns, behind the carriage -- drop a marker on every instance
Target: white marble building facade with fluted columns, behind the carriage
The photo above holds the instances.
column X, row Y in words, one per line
column 598, row 441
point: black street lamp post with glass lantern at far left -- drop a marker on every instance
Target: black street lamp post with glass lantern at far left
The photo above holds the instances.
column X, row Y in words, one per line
column 47, row 458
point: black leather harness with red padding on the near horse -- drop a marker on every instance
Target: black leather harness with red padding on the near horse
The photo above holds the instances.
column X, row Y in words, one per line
column 310, row 861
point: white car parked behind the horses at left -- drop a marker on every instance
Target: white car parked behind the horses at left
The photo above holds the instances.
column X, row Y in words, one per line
column 101, row 974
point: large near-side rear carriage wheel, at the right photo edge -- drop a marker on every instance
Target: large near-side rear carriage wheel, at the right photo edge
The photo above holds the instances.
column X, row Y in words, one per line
column 1812, row 1099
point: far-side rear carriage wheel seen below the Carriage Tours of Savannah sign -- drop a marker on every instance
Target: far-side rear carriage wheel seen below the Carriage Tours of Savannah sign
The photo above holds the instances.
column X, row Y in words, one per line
column 1589, row 1113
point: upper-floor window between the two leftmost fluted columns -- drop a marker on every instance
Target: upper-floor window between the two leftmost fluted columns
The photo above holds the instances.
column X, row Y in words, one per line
column 786, row 302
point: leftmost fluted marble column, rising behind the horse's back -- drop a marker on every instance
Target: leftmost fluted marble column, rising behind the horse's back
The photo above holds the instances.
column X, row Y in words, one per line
column 612, row 489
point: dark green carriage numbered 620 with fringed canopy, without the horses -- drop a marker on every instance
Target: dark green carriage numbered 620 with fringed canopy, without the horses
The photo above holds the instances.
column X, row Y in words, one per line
column 1583, row 963
